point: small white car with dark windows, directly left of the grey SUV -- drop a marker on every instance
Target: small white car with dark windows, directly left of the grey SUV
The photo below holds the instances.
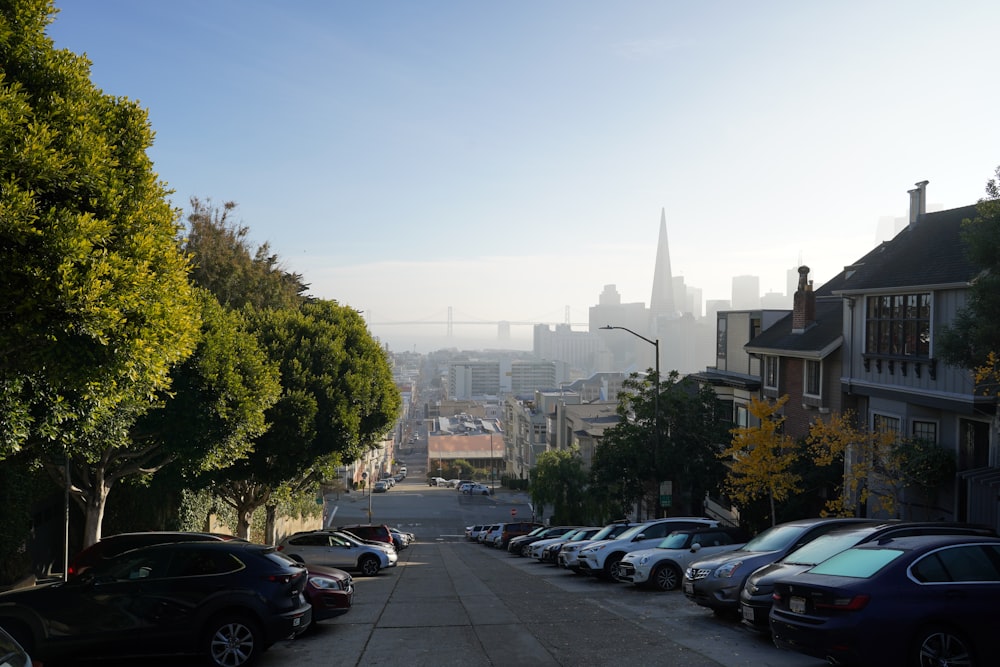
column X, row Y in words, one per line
column 662, row 566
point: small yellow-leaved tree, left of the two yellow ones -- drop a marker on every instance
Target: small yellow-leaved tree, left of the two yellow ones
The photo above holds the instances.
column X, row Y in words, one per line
column 761, row 458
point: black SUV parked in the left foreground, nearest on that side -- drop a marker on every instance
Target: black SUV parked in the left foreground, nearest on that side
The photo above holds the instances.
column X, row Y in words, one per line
column 226, row 600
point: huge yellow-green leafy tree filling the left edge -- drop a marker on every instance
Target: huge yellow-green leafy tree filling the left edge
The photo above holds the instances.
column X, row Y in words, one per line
column 96, row 308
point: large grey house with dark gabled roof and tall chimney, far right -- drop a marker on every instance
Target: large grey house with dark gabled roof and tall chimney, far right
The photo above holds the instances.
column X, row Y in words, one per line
column 896, row 301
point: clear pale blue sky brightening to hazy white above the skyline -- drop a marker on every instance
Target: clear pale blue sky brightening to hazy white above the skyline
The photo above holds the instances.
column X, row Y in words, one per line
column 508, row 160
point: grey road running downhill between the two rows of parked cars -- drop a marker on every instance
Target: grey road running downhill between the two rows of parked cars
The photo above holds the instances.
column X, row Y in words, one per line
column 452, row 602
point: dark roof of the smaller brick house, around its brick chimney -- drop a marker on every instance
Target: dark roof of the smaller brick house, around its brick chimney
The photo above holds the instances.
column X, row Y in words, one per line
column 818, row 340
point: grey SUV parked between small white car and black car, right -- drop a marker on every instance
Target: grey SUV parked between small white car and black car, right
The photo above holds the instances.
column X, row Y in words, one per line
column 716, row 581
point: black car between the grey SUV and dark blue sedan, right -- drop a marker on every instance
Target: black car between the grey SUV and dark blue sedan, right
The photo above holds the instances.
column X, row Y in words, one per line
column 755, row 597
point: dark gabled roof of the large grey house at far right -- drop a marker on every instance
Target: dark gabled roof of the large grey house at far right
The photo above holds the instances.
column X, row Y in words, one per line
column 926, row 254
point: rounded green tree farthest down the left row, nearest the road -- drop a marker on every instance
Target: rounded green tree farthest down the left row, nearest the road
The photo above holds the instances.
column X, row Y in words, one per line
column 338, row 400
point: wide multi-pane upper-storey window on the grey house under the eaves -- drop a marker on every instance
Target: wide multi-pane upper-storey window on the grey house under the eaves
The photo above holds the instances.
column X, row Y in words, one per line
column 898, row 325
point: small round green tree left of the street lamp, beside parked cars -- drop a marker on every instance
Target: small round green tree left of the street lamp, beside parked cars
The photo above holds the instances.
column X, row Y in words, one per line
column 559, row 480
